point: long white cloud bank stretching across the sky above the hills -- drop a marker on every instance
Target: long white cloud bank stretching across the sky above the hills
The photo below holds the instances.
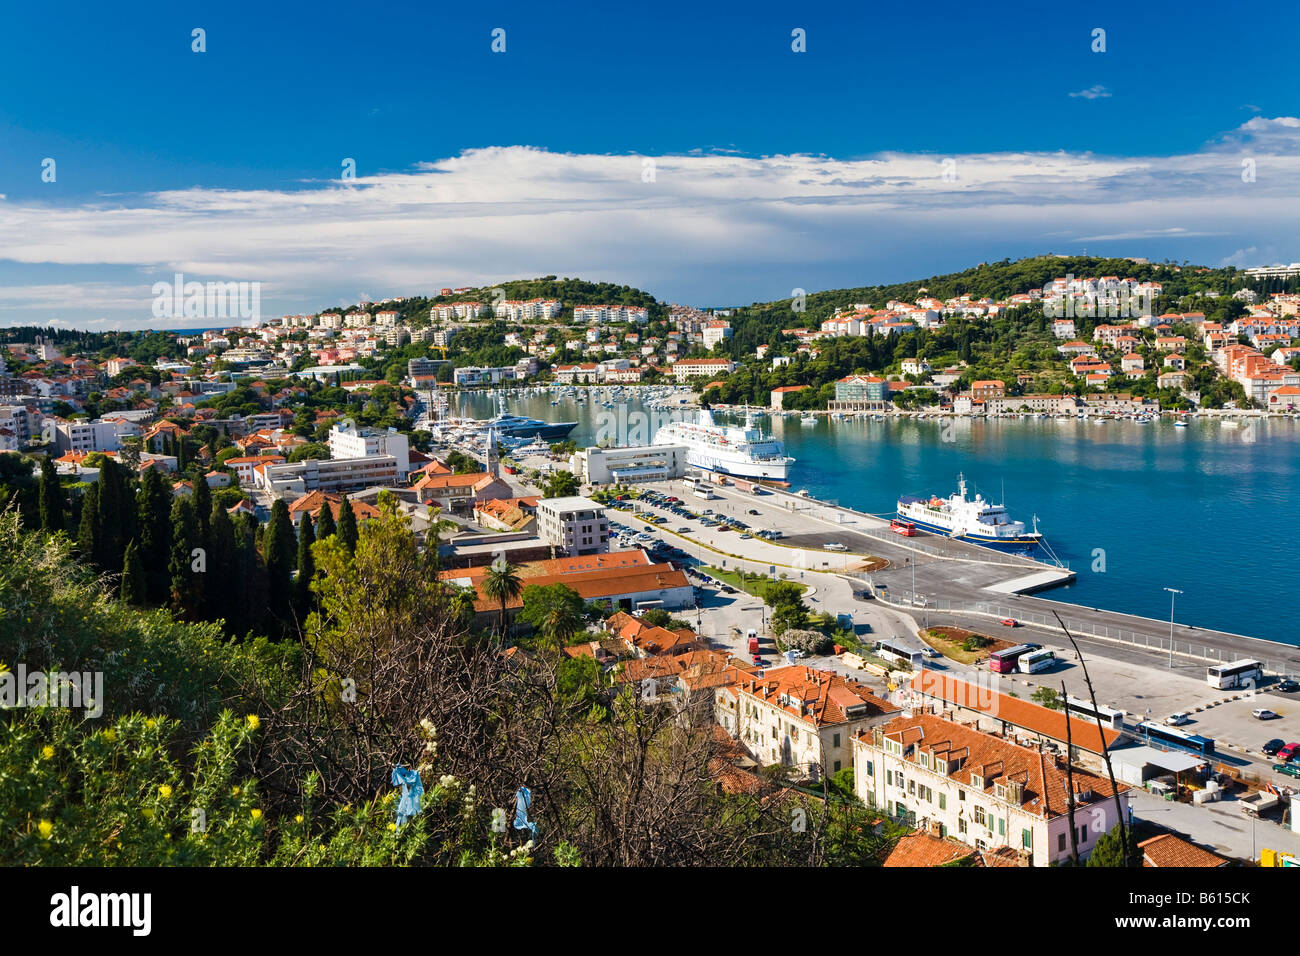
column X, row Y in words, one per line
column 713, row 228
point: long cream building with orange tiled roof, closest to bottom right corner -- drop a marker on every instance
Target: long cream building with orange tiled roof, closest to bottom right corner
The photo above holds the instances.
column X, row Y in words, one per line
column 982, row 790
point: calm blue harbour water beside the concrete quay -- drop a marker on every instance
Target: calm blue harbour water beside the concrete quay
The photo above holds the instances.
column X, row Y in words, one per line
column 1133, row 509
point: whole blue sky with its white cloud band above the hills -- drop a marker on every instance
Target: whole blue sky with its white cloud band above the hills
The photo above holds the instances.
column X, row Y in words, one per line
column 476, row 167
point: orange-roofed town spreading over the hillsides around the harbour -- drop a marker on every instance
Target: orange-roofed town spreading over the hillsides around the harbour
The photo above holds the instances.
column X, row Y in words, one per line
column 330, row 425
